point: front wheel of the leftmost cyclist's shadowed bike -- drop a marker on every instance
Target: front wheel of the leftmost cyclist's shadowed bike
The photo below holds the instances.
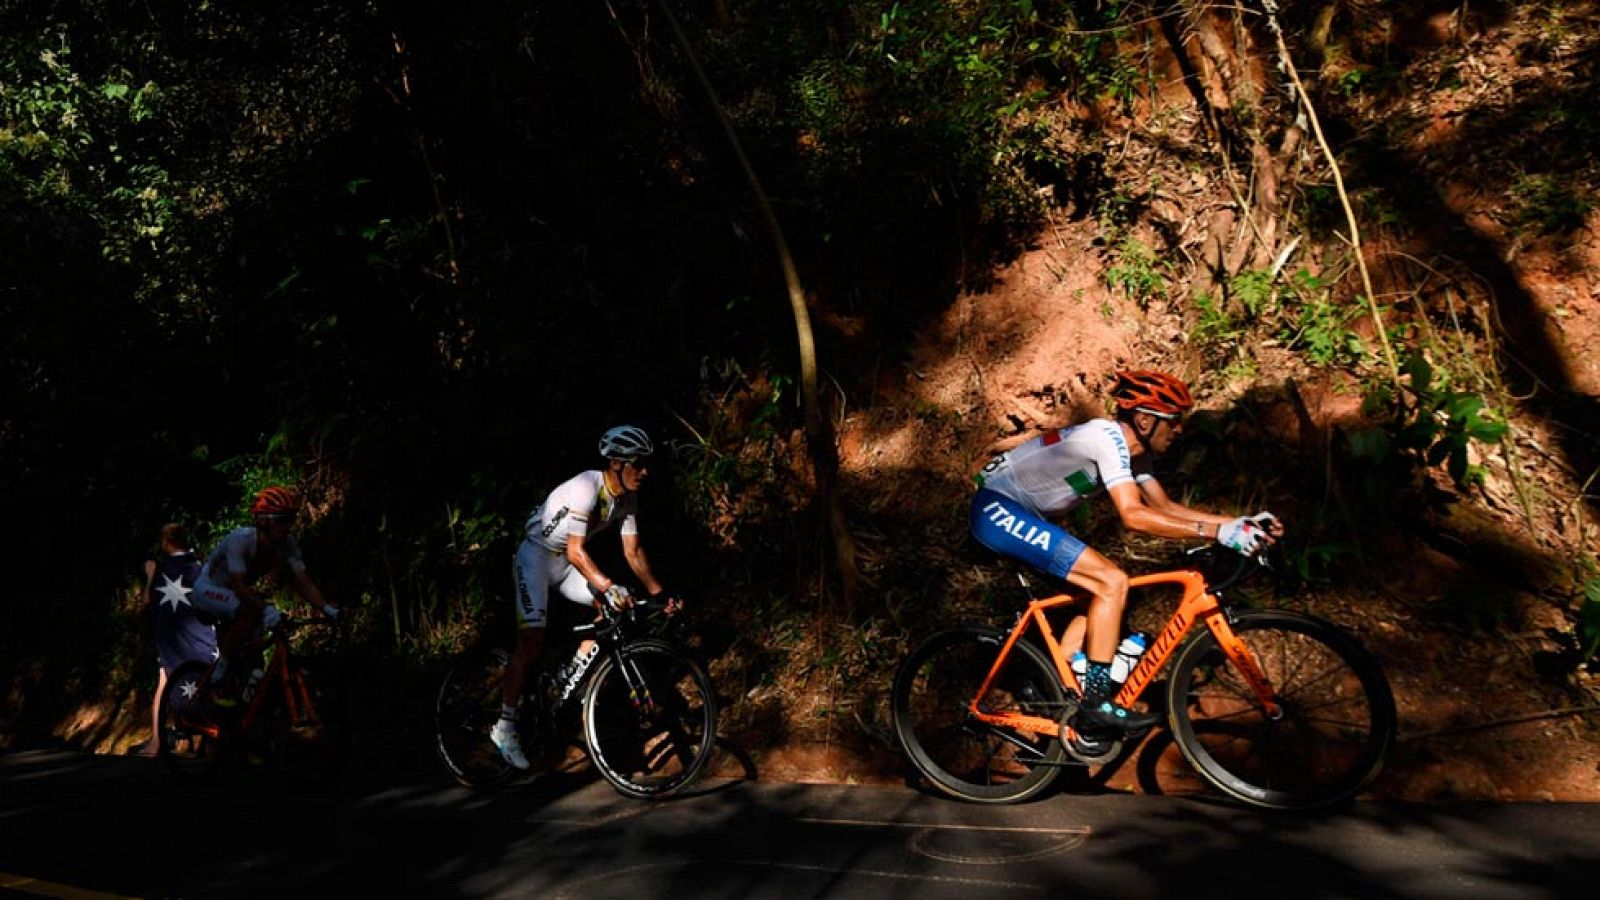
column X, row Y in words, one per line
column 310, row 745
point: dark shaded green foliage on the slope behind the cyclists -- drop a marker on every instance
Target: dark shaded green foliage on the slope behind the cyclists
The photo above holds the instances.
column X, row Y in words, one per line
column 415, row 257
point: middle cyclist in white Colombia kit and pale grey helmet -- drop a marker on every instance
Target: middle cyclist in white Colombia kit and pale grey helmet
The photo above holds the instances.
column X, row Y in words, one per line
column 553, row 555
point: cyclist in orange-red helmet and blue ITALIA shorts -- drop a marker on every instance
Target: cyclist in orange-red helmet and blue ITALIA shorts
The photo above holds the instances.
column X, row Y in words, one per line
column 1023, row 489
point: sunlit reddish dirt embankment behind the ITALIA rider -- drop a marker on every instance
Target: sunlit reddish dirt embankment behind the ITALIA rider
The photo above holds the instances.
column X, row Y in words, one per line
column 1471, row 603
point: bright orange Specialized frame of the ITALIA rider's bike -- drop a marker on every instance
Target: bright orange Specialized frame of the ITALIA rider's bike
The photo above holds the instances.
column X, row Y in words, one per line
column 1198, row 605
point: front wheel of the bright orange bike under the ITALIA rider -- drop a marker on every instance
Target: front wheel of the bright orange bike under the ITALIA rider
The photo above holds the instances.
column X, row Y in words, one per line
column 1337, row 725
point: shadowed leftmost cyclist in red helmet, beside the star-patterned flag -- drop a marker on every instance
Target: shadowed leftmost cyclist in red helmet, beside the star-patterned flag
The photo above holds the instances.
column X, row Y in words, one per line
column 228, row 581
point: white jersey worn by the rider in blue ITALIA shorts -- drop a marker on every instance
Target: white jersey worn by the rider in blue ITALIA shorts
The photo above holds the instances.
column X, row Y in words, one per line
column 1057, row 470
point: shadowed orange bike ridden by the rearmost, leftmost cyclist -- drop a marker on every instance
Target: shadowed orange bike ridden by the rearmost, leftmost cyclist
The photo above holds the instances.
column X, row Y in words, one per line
column 292, row 718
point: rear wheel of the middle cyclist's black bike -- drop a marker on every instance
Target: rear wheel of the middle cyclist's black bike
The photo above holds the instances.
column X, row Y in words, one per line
column 466, row 707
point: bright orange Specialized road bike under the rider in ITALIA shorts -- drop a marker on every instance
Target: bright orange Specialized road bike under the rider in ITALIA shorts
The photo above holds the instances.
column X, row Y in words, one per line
column 1274, row 709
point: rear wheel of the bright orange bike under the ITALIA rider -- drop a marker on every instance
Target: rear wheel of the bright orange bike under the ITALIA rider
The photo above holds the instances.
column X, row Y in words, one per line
column 961, row 757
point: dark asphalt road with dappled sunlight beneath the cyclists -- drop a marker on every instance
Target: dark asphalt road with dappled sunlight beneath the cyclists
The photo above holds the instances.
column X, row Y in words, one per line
column 76, row 826
